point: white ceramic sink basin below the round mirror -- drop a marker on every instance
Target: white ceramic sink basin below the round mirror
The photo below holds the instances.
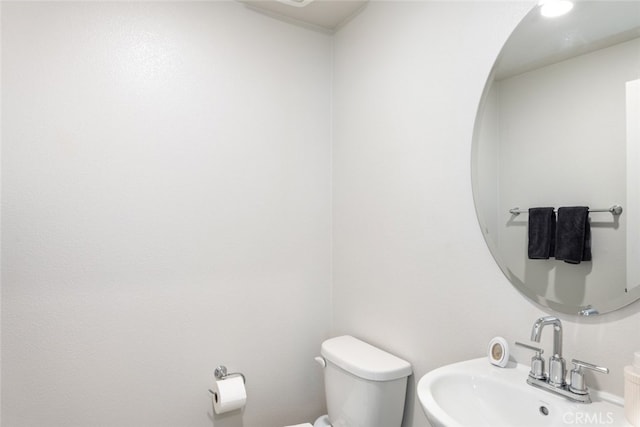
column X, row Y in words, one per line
column 476, row 393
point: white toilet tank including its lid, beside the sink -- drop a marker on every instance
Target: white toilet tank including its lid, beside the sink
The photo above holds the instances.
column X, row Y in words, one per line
column 364, row 386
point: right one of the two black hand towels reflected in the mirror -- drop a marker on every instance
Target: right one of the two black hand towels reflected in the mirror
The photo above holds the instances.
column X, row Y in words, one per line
column 573, row 235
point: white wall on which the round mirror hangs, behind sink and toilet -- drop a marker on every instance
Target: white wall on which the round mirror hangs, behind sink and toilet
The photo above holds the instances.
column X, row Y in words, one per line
column 411, row 270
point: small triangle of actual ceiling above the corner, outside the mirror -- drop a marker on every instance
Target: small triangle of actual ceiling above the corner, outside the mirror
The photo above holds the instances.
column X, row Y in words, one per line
column 323, row 15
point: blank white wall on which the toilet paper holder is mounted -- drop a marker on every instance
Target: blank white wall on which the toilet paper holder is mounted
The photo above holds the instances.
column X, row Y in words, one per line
column 165, row 203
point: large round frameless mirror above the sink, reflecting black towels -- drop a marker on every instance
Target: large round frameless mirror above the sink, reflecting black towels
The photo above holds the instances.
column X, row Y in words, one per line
column 559, row 126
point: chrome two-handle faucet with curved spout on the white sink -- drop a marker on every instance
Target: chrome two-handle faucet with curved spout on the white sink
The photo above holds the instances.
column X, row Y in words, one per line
column 555, row 381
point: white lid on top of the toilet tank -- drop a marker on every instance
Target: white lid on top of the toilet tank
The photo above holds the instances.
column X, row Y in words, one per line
column 364, row 360
